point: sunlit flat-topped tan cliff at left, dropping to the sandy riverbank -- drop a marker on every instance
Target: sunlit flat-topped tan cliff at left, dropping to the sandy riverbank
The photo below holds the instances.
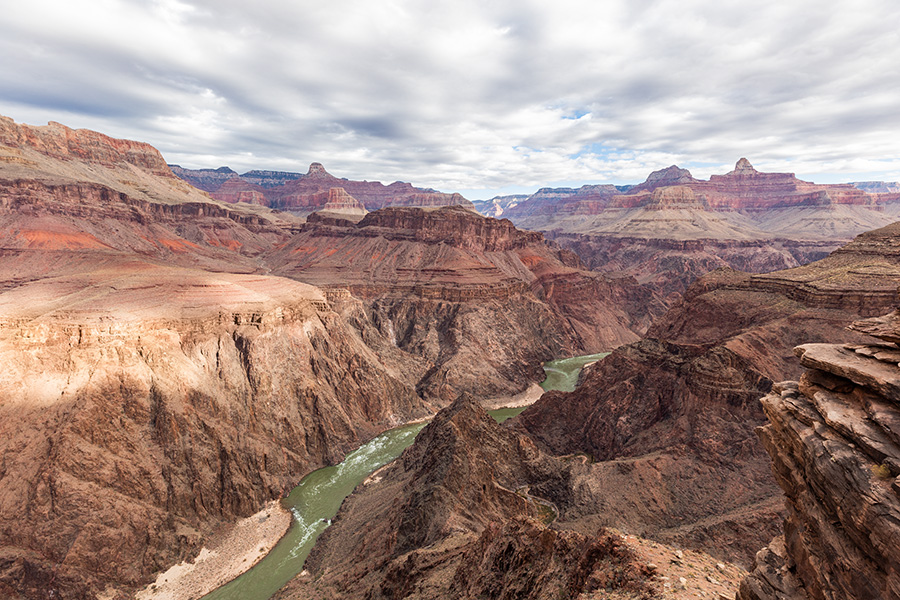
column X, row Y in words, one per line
column 140, row 409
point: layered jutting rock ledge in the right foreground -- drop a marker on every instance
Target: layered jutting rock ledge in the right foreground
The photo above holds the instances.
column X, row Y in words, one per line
column 834, row 439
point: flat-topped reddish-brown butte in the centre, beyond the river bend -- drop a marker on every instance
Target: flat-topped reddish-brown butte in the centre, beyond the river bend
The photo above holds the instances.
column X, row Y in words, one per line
column 475, row 304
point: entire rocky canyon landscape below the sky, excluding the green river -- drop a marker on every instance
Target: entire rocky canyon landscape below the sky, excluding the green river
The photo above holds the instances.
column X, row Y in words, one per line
column 181, row 347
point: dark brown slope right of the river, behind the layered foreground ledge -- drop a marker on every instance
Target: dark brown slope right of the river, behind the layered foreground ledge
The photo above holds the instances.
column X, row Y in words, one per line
column 671, row 418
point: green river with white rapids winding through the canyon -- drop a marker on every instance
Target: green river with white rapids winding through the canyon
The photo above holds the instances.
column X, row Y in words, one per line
column 319, row 496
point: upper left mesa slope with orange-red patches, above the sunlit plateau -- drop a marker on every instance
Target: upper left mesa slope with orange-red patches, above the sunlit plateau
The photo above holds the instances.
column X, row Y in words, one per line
column 79, row 199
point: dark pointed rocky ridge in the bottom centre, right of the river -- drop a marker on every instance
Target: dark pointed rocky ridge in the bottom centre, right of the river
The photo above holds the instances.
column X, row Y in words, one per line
column 459, row 516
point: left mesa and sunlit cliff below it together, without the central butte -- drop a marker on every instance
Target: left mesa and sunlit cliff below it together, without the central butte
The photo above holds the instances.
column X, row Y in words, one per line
column 155, row 385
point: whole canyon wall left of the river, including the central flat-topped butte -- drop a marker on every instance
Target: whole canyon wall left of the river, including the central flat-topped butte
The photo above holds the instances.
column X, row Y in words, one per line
column 174, row 361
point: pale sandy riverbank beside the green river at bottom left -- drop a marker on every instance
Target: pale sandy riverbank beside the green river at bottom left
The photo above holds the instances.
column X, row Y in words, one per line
column 233, row 553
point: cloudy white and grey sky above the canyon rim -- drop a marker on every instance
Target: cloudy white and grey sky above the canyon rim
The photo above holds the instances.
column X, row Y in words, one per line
column 482, row 97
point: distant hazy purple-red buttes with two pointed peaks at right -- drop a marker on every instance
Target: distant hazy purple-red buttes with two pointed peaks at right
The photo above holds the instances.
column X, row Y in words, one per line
column 672, row 228
